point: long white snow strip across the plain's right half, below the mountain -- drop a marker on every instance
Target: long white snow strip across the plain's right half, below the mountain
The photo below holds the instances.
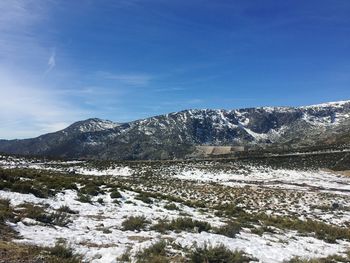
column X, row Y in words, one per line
column 268, row 177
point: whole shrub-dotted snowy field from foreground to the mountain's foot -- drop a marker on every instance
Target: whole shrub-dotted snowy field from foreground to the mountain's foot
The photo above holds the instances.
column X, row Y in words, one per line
column 312, row 199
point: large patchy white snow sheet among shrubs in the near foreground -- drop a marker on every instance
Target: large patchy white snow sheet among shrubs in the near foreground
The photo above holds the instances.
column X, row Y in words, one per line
column 84, row 234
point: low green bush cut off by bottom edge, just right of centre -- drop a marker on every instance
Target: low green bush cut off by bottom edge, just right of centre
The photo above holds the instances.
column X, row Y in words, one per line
column 217, row 254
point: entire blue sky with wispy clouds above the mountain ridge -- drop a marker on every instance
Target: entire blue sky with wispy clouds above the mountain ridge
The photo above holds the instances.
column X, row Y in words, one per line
column 63, row 61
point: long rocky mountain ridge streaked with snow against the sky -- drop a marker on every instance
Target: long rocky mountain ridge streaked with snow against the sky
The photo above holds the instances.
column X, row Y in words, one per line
column 175, row 135
